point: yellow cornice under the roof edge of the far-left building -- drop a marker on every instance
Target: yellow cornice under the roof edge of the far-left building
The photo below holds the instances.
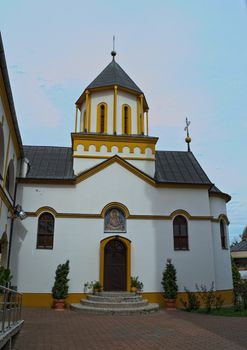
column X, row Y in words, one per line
column 8, row 116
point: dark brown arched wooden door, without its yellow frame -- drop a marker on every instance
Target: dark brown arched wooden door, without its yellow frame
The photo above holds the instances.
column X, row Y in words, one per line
column 115, row 266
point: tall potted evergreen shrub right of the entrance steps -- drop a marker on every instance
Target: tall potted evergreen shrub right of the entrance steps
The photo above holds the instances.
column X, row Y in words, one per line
column 169, row 284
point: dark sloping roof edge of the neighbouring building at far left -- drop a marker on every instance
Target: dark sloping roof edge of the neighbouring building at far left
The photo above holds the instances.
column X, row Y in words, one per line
column 3, row 66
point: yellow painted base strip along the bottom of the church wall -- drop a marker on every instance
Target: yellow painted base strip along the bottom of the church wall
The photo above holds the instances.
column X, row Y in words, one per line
column 45, row 299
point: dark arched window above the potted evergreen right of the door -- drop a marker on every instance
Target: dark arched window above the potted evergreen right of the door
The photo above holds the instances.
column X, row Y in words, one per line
column 180, row 233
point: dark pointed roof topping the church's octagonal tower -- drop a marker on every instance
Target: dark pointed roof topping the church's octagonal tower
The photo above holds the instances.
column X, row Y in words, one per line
column 113, row 74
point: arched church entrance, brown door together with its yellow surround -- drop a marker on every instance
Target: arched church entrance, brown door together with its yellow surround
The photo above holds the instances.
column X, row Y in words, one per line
column 115, row 263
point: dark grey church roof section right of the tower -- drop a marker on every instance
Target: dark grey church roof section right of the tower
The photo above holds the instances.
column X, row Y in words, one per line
column 179, row 167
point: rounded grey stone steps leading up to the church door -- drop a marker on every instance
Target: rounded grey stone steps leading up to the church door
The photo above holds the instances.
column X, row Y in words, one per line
column 111, row 303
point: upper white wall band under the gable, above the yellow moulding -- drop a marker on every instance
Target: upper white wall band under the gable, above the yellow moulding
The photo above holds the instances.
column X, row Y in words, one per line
column 112, row 184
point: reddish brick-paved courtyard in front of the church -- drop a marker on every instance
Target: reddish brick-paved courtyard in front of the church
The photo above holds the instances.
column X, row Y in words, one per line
column 46, row 329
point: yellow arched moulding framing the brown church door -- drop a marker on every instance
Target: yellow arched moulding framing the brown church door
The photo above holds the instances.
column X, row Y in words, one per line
column 127, row 244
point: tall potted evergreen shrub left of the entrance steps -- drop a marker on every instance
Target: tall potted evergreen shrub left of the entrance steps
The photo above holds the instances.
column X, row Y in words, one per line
column 61, row 287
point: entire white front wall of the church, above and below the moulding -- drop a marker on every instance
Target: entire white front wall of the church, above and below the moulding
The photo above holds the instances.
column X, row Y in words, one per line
column 78, row 239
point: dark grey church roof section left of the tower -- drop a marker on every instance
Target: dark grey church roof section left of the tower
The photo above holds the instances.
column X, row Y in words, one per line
column 47, row 162
